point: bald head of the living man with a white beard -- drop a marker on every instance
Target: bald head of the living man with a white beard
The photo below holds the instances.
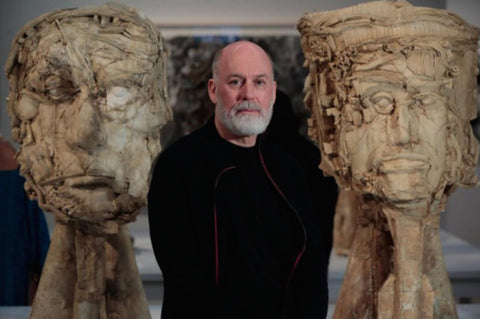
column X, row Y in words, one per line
column 243, row 90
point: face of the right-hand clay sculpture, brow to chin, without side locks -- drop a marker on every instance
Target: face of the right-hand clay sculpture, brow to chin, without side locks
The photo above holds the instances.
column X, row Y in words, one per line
column 396, row 144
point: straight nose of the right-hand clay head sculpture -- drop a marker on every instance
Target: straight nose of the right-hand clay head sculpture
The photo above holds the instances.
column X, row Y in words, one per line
column 403, row 125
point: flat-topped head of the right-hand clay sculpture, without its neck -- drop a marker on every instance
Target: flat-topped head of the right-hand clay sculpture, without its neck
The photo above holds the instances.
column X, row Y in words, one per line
column 392, row 90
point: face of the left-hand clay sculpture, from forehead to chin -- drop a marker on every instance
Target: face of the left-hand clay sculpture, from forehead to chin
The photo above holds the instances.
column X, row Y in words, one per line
column 92, row 130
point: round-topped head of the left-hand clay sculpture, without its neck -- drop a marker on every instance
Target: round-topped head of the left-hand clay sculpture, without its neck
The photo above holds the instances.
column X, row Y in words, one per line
column 87, row 100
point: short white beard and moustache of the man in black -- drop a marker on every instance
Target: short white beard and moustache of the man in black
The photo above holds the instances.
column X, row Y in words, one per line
column 244, row 124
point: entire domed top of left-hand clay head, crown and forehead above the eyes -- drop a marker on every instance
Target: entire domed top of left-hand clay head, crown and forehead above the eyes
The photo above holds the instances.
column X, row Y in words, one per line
column 92, row 38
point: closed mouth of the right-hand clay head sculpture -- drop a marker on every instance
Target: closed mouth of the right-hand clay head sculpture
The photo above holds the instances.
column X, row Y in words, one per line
column 404, row 163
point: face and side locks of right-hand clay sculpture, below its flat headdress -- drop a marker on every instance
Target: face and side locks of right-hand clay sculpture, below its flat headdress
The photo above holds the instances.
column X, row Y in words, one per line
column 399, row 132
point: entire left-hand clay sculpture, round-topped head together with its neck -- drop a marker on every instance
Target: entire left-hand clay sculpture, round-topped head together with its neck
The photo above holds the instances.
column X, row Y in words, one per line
column 87, row 100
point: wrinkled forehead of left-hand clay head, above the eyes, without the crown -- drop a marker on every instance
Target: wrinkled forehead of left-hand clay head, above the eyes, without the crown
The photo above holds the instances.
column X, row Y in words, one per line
column 117, row 52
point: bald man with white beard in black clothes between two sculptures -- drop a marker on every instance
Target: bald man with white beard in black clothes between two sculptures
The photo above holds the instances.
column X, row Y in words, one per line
column 230, row 216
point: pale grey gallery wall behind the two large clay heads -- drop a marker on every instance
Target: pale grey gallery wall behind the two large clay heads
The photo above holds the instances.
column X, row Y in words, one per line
column 248, row 17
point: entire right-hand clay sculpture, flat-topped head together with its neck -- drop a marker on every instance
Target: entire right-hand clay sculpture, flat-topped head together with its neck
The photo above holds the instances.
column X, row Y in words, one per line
column 392, row 90
